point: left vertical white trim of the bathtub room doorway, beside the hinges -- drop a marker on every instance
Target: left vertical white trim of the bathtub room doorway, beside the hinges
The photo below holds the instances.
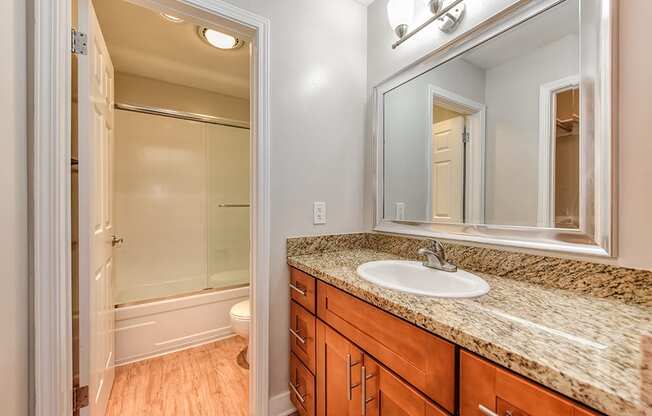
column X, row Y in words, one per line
column 50, row 209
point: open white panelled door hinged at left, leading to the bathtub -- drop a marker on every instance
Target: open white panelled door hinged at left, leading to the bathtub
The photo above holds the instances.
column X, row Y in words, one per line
column 95, row 135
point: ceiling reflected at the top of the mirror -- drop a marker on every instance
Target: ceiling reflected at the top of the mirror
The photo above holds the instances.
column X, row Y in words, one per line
column 554, row 24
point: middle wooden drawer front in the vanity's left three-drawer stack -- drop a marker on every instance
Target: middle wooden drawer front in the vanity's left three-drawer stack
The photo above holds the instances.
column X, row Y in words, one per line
column 302, row 335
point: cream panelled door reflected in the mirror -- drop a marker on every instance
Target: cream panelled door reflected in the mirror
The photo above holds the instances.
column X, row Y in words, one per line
column 448, row 170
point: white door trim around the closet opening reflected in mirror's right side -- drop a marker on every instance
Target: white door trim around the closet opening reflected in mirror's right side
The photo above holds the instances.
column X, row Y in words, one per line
column 547, row 128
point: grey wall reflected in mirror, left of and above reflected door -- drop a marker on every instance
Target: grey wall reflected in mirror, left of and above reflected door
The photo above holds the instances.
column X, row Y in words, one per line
column 407, row 133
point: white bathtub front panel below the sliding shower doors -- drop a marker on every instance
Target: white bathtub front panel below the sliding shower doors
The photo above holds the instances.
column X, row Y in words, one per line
column 148, row 329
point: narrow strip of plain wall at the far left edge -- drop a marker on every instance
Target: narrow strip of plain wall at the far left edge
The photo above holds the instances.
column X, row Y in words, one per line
column 13, row 212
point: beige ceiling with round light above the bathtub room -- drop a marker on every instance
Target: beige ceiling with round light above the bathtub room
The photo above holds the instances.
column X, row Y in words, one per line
column 141, row 42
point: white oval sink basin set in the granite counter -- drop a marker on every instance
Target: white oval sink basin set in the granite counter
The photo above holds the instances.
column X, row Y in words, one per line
column 414, row 277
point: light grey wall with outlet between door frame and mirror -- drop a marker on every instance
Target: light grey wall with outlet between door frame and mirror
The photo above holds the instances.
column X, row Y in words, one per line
column 318, row 51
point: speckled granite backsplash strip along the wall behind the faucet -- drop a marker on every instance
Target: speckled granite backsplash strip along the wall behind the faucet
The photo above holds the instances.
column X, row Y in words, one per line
column 630, row 286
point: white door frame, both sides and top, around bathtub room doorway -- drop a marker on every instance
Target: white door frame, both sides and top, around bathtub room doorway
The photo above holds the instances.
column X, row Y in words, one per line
column 50, row 217
